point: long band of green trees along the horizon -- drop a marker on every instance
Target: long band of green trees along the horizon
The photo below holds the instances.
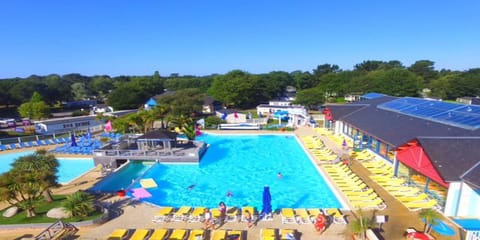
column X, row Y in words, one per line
column 240, row 89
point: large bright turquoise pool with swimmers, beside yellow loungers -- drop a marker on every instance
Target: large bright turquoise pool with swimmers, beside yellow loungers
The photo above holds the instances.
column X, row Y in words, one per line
column 242, row 165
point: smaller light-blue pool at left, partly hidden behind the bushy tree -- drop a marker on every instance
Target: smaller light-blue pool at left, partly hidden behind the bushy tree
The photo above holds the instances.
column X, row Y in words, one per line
column 69, row 169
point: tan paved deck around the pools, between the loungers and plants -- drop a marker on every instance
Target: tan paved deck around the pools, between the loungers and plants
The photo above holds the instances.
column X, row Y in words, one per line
column 133, row 214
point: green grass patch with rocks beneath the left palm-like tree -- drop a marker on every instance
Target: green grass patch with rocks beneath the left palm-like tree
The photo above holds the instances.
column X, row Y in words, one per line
column 41, row 210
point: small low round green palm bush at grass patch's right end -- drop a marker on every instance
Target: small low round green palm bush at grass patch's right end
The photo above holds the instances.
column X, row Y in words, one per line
column 79, row 204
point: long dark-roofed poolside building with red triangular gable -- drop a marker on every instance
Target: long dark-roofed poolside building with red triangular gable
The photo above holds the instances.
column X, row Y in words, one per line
column 432, row 142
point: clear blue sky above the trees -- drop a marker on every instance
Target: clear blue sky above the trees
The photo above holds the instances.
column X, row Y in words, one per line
column 129, row 37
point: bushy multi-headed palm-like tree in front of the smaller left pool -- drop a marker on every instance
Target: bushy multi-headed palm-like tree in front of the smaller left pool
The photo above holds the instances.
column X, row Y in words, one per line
column 25, row 183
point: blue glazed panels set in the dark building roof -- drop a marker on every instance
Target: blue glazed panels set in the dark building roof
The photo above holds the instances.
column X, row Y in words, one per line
column 455, row 114
